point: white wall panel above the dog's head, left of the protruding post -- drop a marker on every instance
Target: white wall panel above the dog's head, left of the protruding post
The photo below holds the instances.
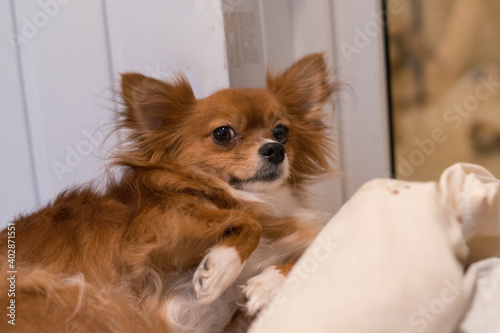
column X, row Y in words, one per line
column 161, row 38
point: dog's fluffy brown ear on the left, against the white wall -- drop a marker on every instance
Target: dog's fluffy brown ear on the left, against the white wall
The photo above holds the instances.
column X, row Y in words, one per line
column 152, row 104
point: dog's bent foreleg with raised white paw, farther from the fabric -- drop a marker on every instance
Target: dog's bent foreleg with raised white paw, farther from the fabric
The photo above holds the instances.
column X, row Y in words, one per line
column 224, row 262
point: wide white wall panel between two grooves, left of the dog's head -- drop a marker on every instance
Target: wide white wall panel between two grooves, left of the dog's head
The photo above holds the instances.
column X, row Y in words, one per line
column 66, row 75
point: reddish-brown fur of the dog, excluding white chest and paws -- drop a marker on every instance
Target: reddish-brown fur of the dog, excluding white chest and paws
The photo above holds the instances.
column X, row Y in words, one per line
column 106, row 260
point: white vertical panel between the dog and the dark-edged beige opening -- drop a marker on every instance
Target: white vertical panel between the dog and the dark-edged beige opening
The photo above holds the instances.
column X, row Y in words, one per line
column 360, row 63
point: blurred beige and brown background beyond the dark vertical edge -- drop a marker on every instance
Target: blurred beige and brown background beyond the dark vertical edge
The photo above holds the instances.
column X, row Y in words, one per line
column 445, row 85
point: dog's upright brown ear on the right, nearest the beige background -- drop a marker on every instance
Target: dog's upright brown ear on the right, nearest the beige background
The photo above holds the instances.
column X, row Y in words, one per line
column 304, row 88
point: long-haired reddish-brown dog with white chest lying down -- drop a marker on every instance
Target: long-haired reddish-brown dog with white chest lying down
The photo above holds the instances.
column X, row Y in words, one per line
column 208, row 199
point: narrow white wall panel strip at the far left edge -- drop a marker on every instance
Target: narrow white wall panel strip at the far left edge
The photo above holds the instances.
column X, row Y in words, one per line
column 18, row 191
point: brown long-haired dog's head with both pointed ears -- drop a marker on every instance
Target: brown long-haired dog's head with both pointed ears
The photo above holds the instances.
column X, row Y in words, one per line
column 254, row 139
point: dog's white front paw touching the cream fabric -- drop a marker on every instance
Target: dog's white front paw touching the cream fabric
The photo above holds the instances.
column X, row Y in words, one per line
column 261, row 289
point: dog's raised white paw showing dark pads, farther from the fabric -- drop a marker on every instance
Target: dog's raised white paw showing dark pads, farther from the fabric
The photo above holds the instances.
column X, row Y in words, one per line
column 216, row 272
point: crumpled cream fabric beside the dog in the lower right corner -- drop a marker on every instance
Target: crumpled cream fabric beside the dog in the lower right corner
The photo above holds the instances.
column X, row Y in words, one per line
column 393, row 260
